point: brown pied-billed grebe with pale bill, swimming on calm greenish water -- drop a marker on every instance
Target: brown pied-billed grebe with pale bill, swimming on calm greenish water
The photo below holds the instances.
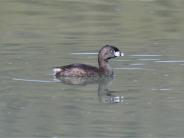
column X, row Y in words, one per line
column 82, row 70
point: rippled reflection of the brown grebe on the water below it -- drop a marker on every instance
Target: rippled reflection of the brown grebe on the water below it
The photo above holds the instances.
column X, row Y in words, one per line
column 104, row 94
